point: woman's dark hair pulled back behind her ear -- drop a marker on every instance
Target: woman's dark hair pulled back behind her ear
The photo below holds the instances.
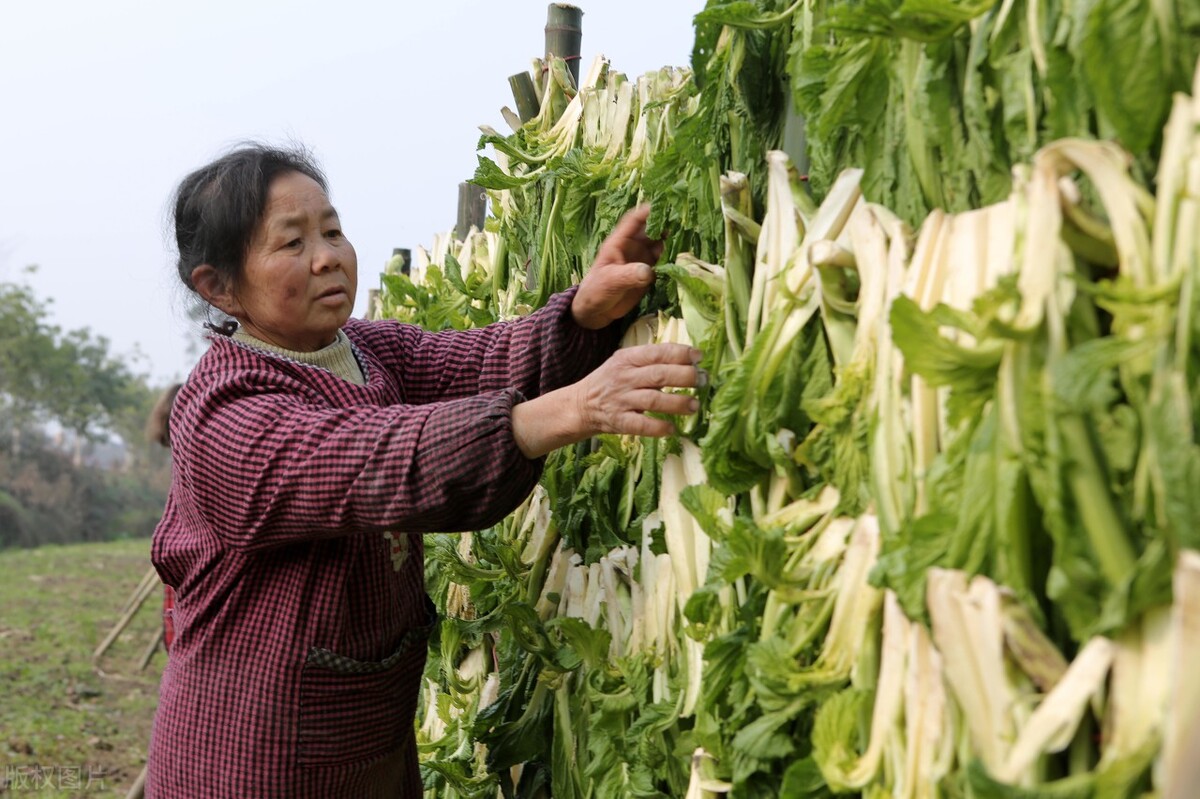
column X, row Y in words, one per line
column 219, row 207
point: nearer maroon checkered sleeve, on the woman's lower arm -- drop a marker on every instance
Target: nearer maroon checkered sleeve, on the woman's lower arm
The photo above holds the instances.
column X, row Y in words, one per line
column 267, row 465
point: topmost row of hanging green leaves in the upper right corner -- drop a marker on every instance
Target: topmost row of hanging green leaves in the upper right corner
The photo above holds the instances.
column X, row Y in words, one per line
column 939, row 100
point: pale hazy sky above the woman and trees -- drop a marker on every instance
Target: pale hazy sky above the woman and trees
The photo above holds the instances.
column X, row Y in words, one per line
column 106, row 107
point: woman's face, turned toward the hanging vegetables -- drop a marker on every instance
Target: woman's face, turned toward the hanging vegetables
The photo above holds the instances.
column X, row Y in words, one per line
column 298, row 285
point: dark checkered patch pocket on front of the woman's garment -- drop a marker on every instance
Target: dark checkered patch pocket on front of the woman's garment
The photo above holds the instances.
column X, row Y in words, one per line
column 356, row 711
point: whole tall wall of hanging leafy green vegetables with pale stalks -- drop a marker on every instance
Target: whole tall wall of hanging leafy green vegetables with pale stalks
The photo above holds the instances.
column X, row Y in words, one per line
column 934, row 531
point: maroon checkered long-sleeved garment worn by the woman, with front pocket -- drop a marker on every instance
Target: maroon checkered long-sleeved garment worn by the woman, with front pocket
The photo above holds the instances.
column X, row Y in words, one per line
column 292, row 540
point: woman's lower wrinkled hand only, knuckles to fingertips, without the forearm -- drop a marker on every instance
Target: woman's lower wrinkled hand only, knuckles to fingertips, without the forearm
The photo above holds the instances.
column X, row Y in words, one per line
column 616, row 397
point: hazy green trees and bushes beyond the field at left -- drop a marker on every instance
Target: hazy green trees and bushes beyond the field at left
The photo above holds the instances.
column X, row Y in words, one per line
column 75, row 381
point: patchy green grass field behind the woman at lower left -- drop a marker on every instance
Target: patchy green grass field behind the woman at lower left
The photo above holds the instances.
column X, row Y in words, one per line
column 70, row 728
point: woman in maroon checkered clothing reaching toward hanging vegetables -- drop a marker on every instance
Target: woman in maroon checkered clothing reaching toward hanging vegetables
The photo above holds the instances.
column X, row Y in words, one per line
column 313, row 450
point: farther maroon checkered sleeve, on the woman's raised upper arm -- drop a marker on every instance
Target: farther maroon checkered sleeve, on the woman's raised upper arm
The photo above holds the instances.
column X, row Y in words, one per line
column 535, row 355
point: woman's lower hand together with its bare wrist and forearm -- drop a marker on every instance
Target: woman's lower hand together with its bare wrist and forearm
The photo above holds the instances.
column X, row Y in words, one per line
column 614, row 399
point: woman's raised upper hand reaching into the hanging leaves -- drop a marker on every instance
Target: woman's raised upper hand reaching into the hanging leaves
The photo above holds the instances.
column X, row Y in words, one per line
column 621, row 275
